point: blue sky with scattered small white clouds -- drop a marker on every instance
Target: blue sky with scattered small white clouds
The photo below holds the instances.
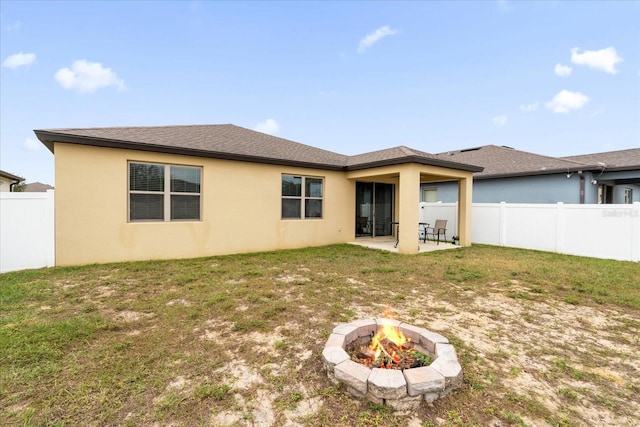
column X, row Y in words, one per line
column 550, row 77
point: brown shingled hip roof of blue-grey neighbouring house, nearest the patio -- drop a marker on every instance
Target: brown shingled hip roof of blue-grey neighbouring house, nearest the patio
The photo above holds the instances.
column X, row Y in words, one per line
column 500, row 161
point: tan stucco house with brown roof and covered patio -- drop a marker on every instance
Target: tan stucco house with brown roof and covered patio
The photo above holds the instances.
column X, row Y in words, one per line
column 138, row 193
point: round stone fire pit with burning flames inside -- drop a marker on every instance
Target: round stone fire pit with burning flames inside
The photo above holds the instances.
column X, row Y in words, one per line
column 391, row 363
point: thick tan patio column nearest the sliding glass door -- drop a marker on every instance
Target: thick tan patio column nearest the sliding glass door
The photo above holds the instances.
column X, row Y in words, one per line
column 409, row 196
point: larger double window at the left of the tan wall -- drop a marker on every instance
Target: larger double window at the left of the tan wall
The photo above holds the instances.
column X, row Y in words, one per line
column 163, row 192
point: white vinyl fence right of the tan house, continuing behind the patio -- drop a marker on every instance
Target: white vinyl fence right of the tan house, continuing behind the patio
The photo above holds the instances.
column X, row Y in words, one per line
column 600, row 231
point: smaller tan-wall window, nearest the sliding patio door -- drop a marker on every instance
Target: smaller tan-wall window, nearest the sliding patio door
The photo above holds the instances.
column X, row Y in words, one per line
column 301, row 197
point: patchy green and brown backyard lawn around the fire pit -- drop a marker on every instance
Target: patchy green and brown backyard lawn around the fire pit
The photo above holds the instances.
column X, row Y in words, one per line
column 543, row 339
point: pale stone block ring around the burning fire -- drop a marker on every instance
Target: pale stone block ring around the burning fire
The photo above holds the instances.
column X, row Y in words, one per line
column 401, row 389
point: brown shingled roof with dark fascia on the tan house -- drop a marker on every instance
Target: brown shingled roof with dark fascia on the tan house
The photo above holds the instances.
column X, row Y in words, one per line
column 236, row 143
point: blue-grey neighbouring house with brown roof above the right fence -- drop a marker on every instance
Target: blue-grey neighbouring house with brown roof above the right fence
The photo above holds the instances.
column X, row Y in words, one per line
column 515, row 176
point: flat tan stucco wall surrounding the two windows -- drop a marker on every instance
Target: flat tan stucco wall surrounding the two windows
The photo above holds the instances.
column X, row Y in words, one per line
column 241, row 204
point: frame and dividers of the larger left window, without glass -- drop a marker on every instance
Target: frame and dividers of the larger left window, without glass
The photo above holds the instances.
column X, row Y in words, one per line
column 167, row 193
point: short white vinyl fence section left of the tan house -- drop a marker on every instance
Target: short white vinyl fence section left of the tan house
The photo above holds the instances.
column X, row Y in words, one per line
column 26, row 231
